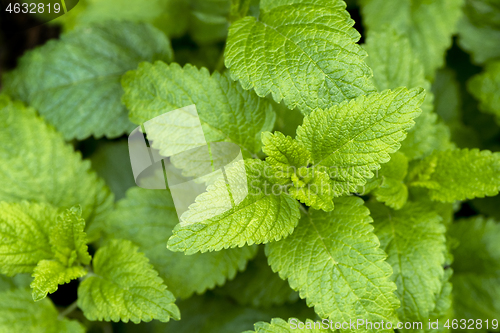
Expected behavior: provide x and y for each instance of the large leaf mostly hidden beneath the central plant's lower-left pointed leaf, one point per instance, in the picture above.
(147, 218)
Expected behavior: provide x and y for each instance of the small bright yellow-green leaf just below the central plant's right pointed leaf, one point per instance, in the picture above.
(392, 190)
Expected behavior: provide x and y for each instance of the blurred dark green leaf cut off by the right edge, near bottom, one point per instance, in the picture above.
(476, 281)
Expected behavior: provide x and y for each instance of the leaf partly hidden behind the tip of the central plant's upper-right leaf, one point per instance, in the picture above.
(394, 64)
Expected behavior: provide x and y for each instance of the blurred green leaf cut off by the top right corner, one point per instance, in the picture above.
(479, 30)
